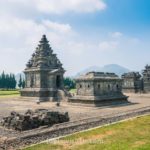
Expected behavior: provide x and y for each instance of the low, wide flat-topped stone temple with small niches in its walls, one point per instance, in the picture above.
(95, 87)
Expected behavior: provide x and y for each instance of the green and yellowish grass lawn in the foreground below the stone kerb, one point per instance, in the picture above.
(129, 135)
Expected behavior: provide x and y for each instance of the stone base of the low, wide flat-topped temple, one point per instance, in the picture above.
(99, 100)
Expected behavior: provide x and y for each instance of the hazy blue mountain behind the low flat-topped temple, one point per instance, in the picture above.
(117, 69)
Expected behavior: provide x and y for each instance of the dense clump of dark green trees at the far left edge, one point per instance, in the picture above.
(7, 81)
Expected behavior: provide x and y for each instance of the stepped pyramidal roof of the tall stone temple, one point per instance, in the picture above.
(43, 57)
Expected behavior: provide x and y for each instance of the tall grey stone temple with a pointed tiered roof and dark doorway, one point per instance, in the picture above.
(43, 73)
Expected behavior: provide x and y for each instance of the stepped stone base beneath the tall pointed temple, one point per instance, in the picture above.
(38, 94)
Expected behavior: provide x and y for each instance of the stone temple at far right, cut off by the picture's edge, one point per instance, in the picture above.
(146, 79)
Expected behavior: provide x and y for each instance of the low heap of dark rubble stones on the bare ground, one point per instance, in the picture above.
(33, 119)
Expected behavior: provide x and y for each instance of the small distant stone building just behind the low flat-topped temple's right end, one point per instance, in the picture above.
(132, 82)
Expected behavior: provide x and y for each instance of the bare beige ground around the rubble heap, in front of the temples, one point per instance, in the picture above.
(76, 112)
